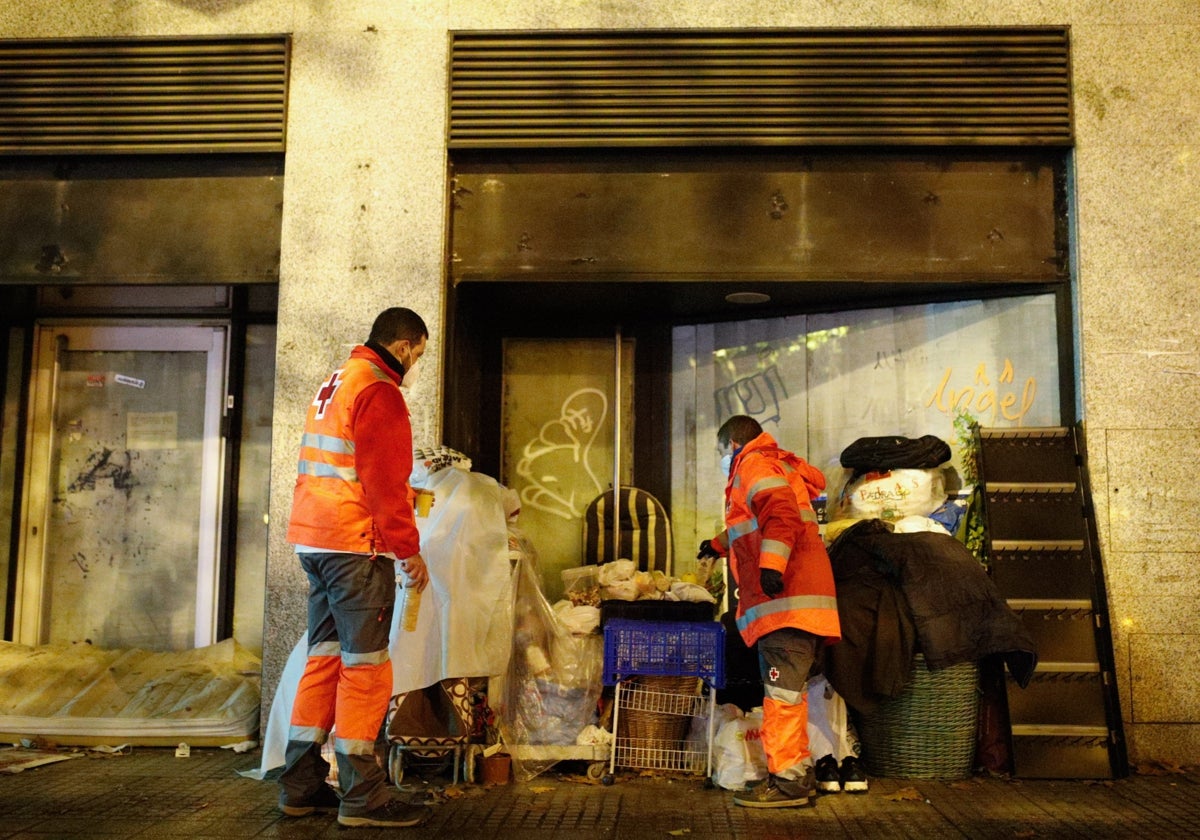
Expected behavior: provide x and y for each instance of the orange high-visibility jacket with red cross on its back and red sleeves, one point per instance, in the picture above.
(352, 491)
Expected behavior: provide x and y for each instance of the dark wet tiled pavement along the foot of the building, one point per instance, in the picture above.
(152, 794)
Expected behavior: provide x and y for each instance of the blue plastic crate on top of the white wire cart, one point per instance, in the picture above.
(664, 649)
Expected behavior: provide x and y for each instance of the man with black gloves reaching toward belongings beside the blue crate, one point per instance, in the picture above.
(787, 599)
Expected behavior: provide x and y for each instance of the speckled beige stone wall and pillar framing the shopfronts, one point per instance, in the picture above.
(364, 230)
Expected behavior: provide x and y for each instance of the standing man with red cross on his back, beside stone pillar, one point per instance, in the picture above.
(352, 524)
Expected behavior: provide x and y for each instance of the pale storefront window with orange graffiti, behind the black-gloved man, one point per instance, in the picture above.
(820, 382)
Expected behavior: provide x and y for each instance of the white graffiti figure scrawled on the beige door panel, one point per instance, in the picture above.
(557, 465)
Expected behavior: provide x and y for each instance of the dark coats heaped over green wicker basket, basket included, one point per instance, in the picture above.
(919, 614)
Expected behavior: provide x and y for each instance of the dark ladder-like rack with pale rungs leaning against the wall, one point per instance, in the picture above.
(1045, 557)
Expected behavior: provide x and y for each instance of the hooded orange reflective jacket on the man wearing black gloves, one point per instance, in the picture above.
(771, 525)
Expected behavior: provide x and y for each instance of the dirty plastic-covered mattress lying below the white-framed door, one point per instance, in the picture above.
(82, 695)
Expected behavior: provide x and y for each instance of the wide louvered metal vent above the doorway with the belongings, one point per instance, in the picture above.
(901, 87)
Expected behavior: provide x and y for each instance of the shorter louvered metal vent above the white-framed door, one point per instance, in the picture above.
(123, 97)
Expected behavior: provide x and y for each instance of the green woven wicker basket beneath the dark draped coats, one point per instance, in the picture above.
(929, 731)
